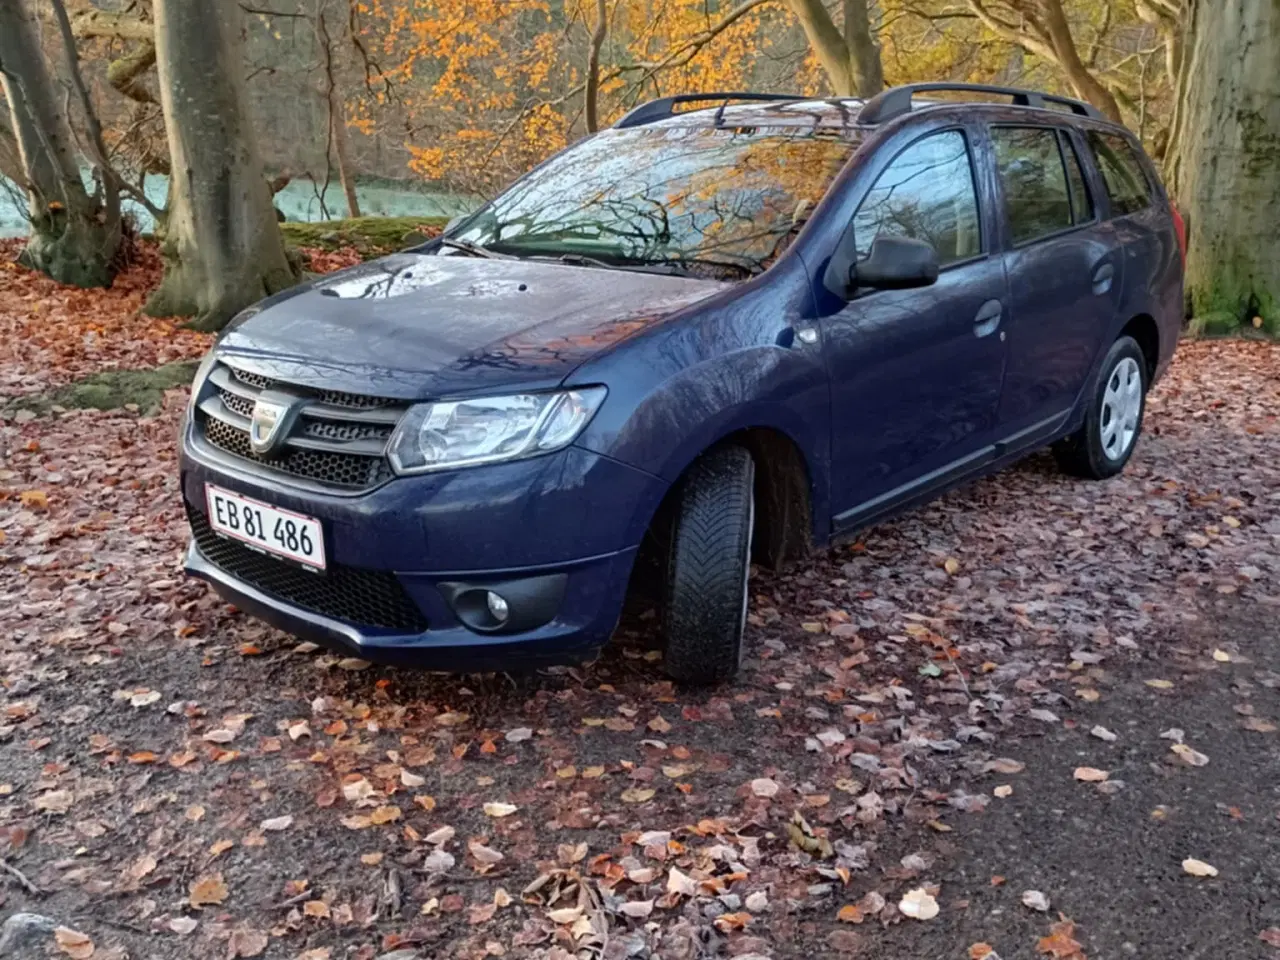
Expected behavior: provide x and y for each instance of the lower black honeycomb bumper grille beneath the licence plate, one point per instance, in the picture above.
(371, 598)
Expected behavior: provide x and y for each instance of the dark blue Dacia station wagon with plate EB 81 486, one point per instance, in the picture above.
(707, 337)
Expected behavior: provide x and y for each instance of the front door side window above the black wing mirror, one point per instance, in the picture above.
(926, 194)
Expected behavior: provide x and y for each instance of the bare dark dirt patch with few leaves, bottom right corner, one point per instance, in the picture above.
(1113, 861)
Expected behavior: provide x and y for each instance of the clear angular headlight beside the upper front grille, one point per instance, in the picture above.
(491, 429)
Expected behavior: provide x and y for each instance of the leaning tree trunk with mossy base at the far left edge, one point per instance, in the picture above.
(75, 239)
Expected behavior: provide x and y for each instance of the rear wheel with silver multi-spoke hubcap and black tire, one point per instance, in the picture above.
(1113, 424)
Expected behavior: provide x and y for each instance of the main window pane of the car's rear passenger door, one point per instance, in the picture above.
(1034, 181)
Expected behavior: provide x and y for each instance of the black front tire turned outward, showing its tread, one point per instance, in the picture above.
(705, 610)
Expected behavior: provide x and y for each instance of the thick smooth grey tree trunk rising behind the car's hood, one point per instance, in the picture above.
(223, 249)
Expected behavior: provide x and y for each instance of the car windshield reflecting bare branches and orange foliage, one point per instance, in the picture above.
(725, 200)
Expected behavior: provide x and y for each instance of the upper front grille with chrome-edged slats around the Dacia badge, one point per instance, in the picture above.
(339, 441)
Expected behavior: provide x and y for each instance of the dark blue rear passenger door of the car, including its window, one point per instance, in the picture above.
(1066, 273)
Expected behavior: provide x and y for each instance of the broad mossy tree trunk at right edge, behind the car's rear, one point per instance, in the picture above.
(1227, 167)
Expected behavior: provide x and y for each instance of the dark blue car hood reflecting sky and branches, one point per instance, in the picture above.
(418, 326)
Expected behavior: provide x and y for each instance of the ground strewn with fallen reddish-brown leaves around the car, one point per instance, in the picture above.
(180, 781)
